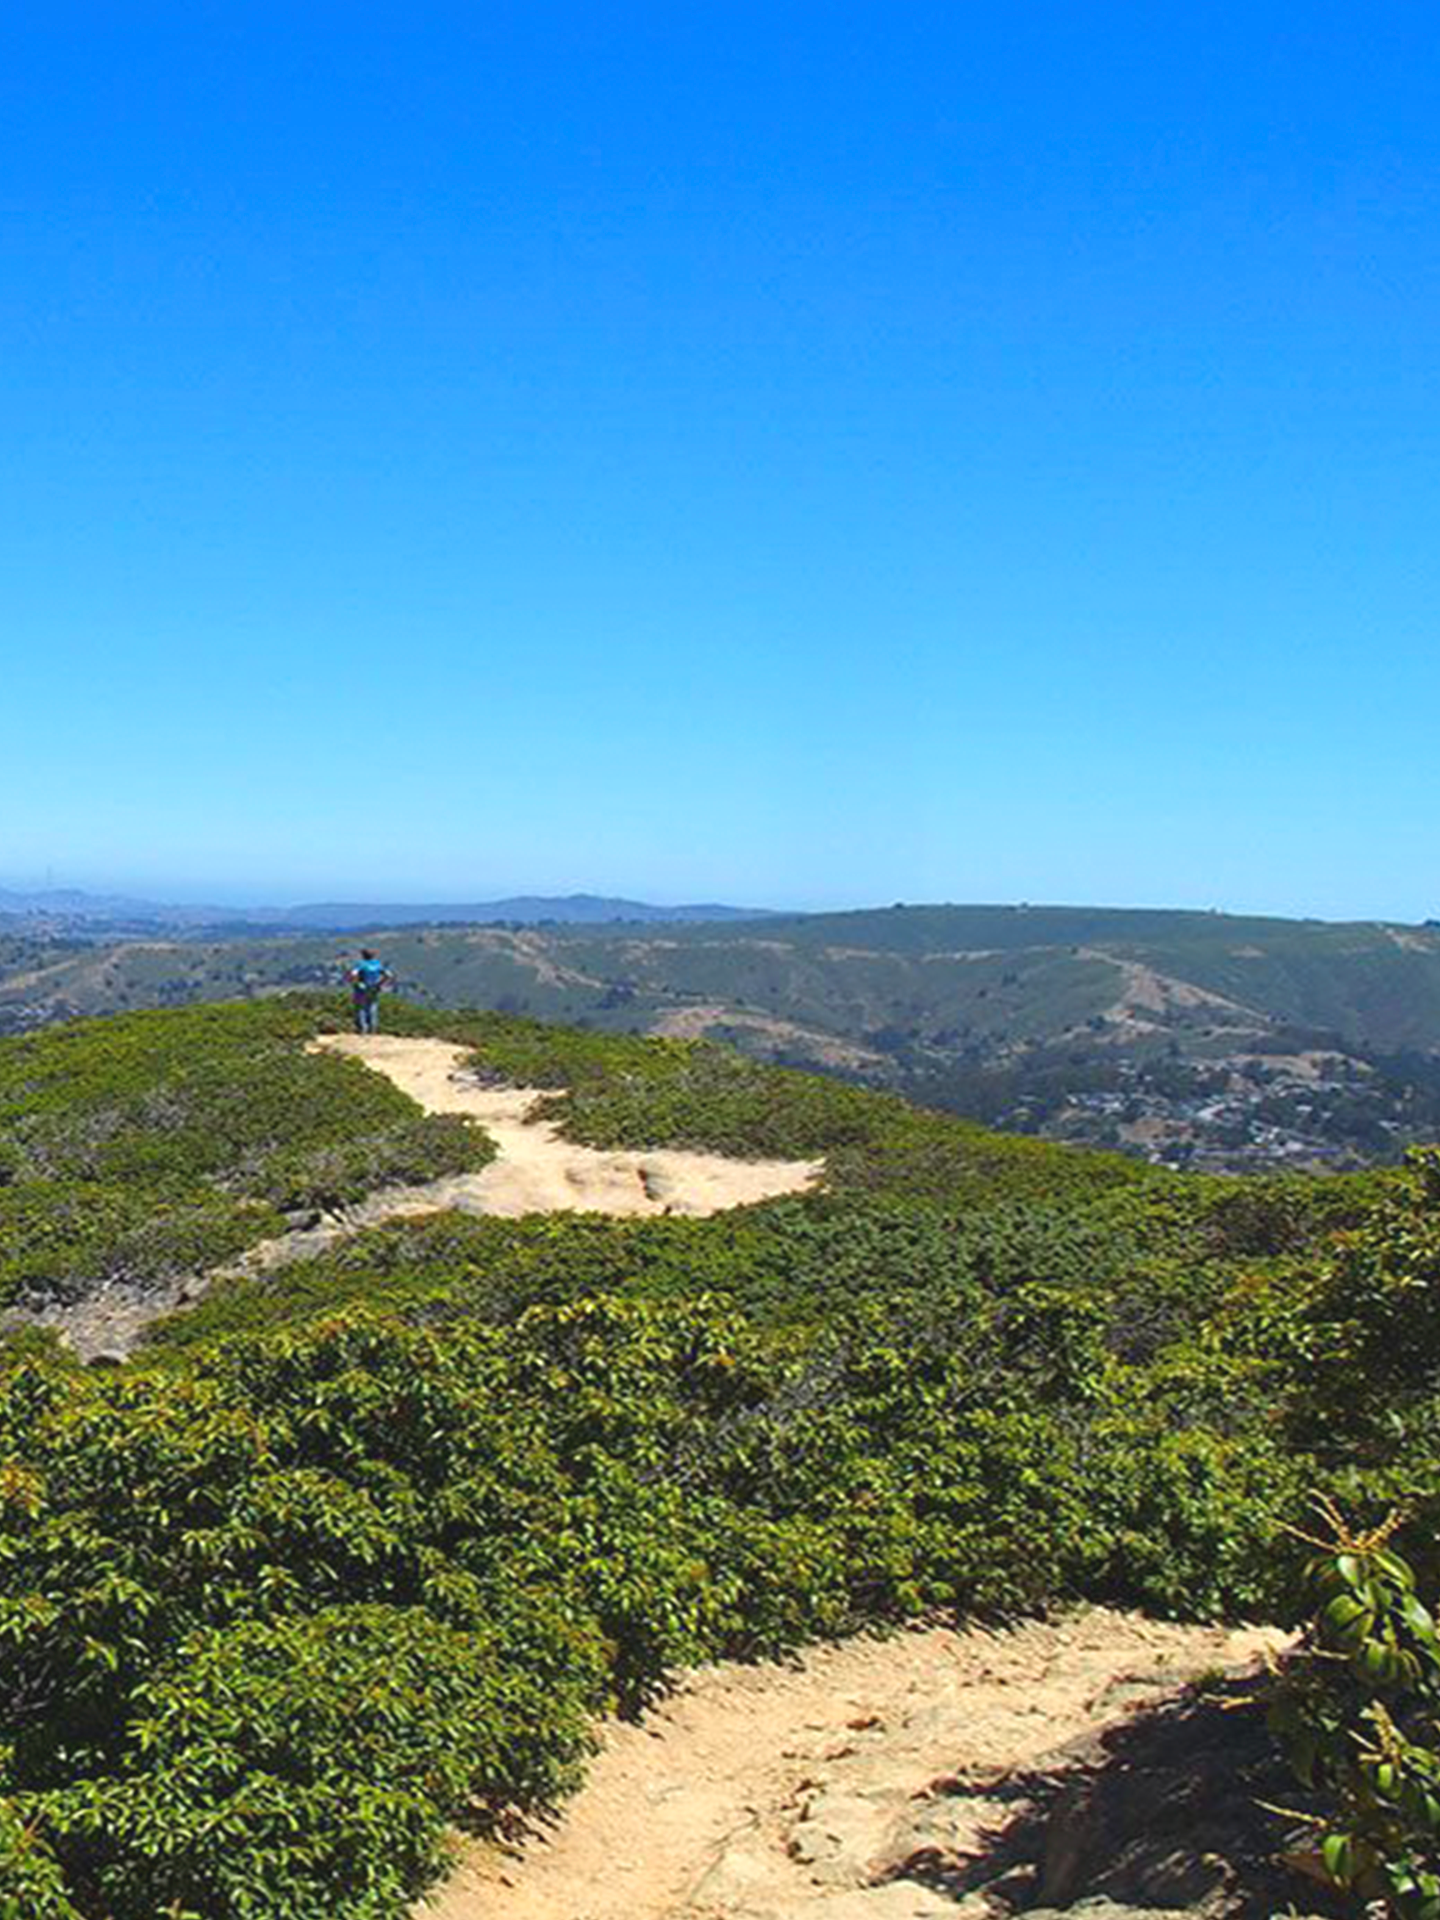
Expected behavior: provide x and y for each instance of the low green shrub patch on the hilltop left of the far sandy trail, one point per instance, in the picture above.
(153, 1143)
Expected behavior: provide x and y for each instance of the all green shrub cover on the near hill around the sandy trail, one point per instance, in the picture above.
(362, 1548)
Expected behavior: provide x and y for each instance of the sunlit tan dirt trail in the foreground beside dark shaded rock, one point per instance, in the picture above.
(863, 1785)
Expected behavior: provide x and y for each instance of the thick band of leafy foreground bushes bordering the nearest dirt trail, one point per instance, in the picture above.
(272, 1620)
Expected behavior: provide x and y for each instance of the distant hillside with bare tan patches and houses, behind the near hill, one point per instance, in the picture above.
(1199, 1040)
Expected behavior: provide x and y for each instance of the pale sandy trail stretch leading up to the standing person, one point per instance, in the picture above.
(539, 1172)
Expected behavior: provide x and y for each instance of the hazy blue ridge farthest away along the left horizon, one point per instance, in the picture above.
(70, 905)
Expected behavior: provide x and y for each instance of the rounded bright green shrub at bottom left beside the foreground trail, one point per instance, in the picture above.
(300, 1767)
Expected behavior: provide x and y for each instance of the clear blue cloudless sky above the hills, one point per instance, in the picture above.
(796, 454)
